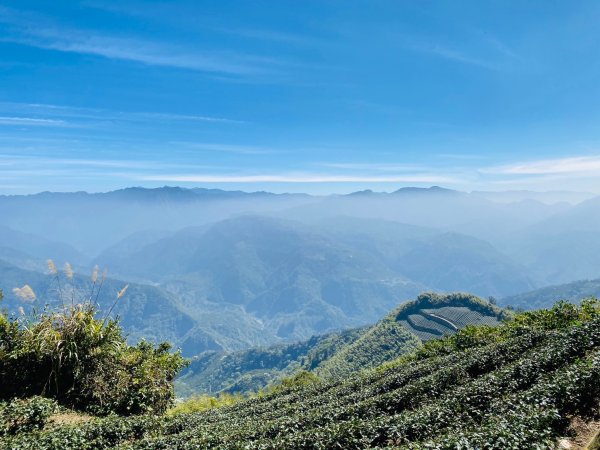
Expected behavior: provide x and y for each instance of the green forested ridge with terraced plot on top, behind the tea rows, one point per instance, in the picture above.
(337, 355)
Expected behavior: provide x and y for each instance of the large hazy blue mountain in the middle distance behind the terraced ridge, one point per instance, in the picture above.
(301, 280)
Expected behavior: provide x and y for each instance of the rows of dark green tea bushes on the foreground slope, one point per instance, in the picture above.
(507, 387)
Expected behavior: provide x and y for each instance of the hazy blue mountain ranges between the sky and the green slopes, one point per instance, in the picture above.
(219, 270)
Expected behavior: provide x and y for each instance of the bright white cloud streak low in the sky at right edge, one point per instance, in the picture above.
(567, 166)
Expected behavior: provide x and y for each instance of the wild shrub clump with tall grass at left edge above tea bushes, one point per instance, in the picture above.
(84, 362)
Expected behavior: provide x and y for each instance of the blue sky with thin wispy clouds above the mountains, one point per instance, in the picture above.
(303, 96)
